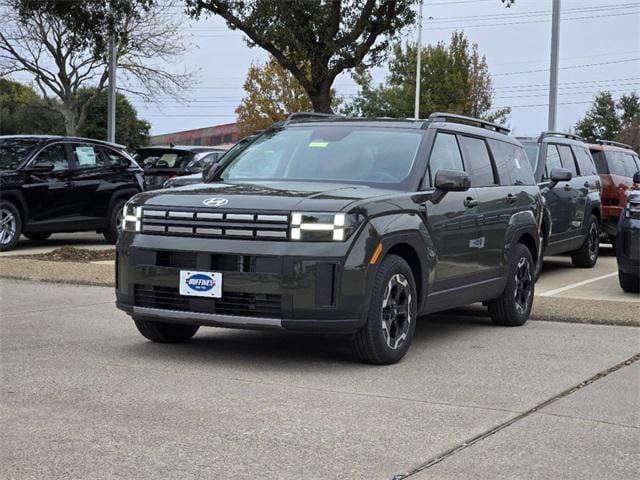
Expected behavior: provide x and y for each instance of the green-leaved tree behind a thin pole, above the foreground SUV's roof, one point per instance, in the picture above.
(454, 78)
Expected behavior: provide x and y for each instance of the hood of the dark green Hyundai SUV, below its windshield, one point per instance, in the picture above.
(274, 196)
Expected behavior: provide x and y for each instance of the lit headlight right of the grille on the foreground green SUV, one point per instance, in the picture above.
(323, 227)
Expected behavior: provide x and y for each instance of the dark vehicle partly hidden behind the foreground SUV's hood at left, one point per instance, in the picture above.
(163, 163)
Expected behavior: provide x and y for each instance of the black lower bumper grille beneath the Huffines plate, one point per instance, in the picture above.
(244, 304)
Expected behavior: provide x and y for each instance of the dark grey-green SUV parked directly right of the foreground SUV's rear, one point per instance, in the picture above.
(567, 176)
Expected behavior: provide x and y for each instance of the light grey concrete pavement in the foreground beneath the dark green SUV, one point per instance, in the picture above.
(85, 396)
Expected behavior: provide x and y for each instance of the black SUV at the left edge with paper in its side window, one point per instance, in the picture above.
(63, 184)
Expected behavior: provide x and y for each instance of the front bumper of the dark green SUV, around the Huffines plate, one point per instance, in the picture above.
(300, 286)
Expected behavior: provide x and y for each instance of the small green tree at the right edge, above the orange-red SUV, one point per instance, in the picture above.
(611, 120)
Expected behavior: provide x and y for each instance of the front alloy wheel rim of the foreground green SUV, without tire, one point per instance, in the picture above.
(396, 311)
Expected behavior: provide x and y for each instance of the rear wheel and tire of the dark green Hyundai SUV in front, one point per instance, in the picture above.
(513, 307)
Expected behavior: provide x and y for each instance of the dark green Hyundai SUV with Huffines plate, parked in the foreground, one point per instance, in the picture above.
(338, 224)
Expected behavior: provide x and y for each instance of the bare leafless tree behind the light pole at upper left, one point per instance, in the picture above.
(53, 56)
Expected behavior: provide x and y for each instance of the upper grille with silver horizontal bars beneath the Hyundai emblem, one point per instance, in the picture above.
(210, 223)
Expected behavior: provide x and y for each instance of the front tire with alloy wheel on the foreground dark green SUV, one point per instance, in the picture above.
(394, 280)
